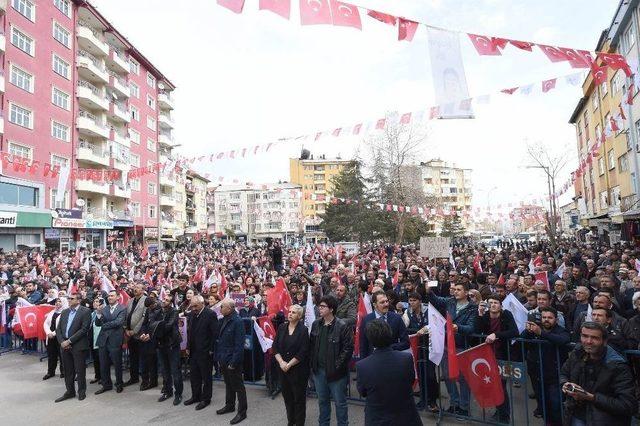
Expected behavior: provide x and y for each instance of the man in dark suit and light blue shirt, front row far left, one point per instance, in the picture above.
(72, 334)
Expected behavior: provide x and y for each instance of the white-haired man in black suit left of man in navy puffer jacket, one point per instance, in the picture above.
(202, 332)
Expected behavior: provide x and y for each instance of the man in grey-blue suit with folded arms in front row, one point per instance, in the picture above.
(111, 320)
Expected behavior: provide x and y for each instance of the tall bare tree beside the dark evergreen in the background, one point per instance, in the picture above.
(393, 175)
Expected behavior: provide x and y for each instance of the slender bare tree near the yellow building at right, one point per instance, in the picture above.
(552, 164)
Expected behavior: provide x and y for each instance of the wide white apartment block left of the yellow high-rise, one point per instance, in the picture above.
(256, 212)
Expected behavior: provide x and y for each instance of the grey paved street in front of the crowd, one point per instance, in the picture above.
(26, 399)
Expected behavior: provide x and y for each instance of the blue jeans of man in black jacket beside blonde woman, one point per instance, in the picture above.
(336, 390)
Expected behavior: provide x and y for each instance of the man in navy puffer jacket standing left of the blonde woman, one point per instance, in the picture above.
(229, 354)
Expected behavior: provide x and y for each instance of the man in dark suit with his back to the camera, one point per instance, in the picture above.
(385, 379)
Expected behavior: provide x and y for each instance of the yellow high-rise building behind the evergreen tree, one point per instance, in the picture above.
(315, 176)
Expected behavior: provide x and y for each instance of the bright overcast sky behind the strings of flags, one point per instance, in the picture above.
(251, 78)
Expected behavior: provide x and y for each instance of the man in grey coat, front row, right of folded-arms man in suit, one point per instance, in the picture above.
(132, 327)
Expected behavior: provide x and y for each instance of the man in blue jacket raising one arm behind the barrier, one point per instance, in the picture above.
(462, 313)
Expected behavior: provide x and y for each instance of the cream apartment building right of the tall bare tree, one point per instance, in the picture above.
(449, 187)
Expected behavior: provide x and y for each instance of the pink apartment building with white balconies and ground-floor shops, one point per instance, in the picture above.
(76, 92)
